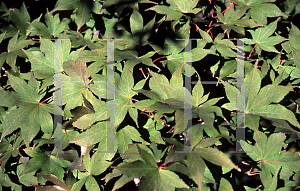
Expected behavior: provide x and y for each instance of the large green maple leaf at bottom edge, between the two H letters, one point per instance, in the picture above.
(155, 178)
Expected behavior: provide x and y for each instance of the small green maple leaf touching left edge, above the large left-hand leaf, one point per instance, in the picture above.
(14, 50)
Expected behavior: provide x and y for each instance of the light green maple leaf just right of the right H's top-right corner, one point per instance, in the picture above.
(263, 39)
